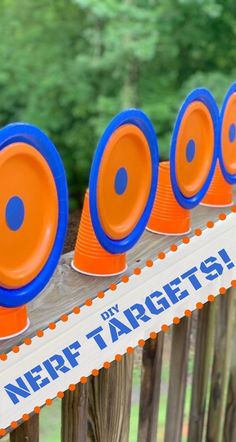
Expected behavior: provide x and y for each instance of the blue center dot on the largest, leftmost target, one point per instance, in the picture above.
(15, 213)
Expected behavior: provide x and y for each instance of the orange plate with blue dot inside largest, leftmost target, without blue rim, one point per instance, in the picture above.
(28, 214)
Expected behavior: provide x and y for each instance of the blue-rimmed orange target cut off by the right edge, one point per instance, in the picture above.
(227, 154)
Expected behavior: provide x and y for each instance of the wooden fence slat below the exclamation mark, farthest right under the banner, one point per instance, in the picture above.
(221, 364)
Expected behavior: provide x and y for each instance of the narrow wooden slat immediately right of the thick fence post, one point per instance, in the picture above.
(150, 389)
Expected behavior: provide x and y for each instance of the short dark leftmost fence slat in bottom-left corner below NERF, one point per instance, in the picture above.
(27, 432)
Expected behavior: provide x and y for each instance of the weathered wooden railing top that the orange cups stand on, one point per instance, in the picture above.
(68, 288)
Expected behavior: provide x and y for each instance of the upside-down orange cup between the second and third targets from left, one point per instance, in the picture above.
(167, 217)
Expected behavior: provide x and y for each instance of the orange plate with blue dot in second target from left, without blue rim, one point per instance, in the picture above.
(124, 181)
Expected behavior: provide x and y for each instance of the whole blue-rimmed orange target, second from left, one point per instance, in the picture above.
(123, 180)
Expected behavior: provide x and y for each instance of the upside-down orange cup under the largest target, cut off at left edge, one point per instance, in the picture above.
(13, 321)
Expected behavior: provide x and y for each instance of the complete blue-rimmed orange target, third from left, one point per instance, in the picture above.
(194, 148)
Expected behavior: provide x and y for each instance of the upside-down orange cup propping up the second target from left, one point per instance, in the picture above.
(90, 257)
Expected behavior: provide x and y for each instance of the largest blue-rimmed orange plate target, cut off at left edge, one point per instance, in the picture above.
(33, 212)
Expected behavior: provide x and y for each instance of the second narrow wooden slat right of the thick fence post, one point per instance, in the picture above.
(177, 382)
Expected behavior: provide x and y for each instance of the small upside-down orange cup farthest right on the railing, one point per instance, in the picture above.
(220, 193)
